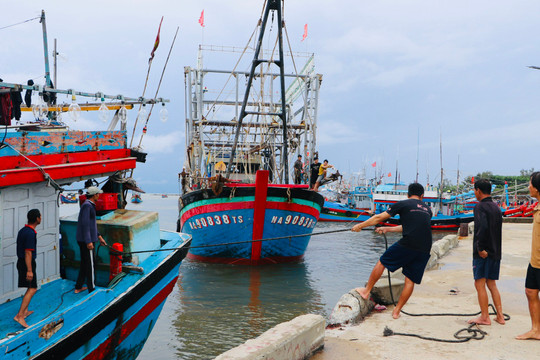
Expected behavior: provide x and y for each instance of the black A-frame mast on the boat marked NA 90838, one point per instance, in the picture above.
(272, 5)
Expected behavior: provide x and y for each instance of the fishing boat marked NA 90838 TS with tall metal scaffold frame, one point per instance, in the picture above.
(238, 151)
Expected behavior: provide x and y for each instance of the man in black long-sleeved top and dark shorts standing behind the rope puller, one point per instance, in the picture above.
(487, 244)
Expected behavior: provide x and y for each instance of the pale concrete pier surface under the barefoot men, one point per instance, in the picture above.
(448, 288)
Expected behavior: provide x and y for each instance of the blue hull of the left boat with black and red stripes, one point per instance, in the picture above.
(113, 322)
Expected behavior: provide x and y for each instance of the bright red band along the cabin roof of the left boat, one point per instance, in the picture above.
(64, 171)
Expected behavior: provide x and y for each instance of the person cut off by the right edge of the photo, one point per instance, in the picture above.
(532, 282)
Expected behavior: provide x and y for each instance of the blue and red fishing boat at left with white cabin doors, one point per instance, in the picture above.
(113, 321)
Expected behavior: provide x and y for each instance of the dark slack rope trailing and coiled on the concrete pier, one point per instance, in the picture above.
(476, 334)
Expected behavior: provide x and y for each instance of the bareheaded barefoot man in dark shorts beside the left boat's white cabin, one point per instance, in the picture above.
(26, 263)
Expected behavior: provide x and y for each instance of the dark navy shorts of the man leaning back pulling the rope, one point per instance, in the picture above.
(413, 262)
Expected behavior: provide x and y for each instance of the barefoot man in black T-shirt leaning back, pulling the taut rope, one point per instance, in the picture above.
(411, 252)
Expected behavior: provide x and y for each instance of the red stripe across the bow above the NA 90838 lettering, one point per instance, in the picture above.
(205, 209)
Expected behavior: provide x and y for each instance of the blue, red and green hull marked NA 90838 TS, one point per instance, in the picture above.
(229, 218)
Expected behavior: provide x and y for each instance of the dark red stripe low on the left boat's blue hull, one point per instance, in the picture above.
(108, 346)
